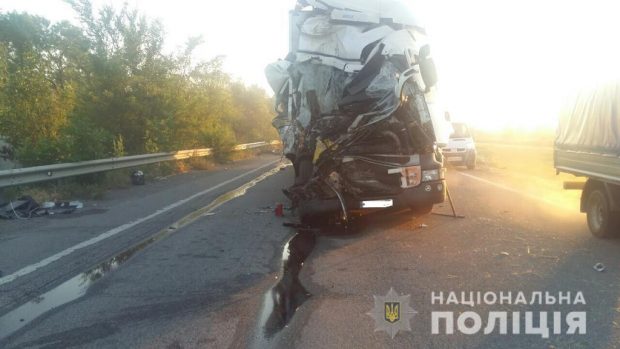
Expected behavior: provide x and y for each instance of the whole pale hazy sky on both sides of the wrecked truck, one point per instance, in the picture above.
(501, 62)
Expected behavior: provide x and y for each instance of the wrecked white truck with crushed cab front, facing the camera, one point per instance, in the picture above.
(357, 109)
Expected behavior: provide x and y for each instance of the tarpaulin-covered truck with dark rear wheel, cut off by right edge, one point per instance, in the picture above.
(588, 145)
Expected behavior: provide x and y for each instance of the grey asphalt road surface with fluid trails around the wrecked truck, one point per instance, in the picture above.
(199, 273)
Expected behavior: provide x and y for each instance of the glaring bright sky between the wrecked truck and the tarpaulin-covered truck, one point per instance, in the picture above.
(511, 64)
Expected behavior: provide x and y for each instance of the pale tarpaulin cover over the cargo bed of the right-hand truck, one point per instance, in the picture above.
(590, 122)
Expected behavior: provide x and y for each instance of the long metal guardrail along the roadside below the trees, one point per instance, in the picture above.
(36, 174)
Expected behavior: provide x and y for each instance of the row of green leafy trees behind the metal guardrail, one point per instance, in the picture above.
(105, 87)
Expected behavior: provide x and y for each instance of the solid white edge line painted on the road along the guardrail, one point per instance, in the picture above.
(33, 267)
